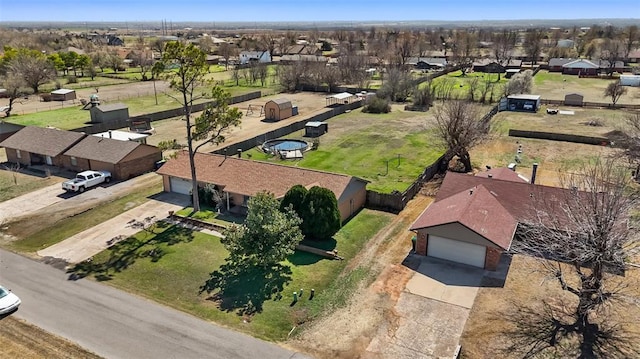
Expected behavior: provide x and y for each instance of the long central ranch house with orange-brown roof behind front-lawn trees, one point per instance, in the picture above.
(239, 179)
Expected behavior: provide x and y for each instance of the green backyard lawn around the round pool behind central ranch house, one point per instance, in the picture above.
(389, 150)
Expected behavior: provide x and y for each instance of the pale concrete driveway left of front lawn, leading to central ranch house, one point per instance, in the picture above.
(94, 240)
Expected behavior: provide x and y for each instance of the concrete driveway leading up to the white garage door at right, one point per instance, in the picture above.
(430, 313)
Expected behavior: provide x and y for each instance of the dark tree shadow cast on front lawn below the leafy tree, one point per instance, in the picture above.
(244, 287)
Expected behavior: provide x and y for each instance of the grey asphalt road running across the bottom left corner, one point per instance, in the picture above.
(115, 324)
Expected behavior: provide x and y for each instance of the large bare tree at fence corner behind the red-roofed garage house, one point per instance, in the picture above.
(459, 128)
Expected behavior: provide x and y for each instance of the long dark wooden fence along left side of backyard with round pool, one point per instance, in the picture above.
(283, 131)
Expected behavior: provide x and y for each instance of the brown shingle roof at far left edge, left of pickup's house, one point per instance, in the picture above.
(43, 141)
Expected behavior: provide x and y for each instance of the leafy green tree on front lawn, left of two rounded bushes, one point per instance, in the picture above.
(267, 236)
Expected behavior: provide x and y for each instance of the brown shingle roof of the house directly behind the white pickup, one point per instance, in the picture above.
(102, 149)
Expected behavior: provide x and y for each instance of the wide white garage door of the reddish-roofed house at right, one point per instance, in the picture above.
(456, 251)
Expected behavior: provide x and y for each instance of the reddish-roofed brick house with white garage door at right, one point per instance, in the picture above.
(474, 219)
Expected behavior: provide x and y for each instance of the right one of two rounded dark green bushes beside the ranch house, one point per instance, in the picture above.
(321, 216)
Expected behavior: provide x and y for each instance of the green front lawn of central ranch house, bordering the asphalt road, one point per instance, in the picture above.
(173, 264)
